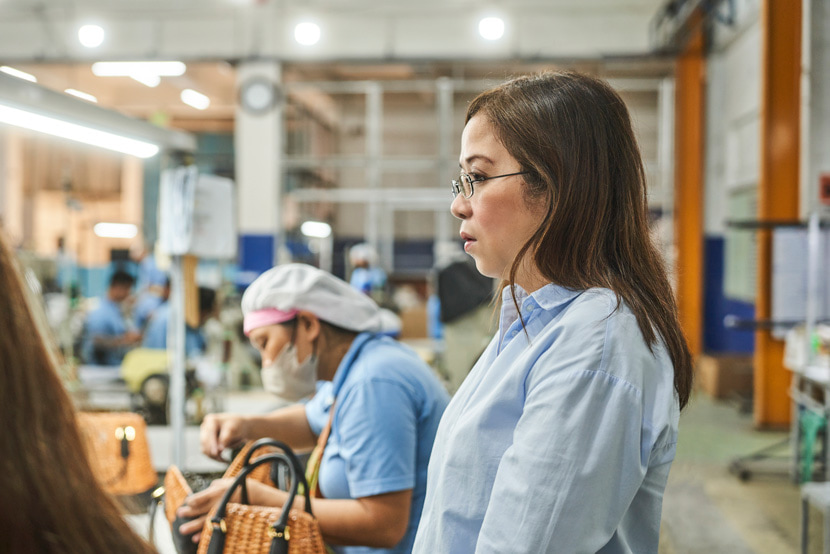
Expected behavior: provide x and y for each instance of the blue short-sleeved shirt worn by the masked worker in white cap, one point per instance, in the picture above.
(388, 407)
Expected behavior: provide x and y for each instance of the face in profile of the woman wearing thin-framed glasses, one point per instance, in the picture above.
(496, 220)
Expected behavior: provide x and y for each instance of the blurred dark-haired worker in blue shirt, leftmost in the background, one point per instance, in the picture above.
(108, 334)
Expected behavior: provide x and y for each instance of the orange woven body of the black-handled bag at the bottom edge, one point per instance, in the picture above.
(248, 531)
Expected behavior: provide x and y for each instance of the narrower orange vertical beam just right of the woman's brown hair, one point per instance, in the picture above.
(688, 187)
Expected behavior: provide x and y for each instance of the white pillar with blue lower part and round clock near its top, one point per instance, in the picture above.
(259, 155)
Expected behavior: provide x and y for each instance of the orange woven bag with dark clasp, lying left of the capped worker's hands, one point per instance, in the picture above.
(118, 476)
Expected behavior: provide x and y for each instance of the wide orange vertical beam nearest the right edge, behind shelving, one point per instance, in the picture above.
(778, 192)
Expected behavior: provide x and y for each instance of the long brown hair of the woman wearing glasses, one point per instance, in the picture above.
(573, 134)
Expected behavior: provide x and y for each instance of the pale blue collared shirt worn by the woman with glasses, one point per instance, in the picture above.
(559, 440)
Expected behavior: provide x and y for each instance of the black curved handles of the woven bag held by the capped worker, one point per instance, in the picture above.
(279, 542)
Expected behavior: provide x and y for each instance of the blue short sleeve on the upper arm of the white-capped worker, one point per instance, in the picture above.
(377, 428)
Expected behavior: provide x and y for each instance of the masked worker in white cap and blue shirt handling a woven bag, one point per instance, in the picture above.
(380, 401)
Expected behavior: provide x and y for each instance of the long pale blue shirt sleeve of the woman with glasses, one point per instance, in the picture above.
(575, 464)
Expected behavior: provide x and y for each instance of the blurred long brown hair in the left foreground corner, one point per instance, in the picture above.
(50, 500)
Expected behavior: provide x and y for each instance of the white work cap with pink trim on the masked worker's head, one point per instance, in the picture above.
(279, 293)
